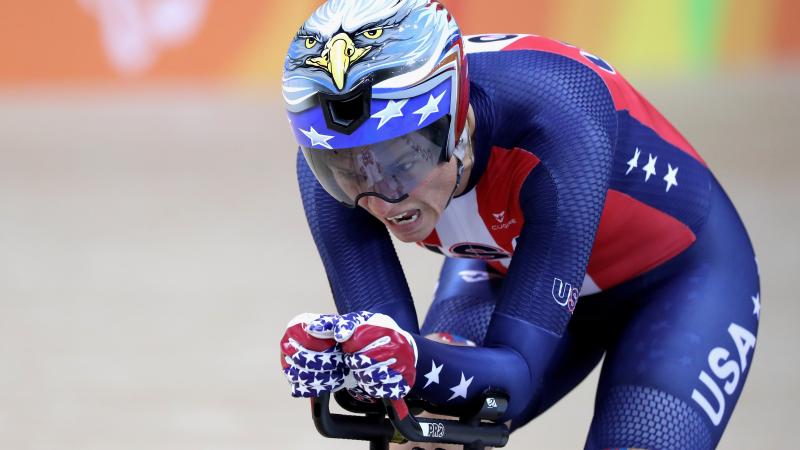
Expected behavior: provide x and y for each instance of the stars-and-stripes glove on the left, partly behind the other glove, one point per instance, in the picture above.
(311, 359)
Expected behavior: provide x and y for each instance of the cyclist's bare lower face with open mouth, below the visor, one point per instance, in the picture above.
(414, 218)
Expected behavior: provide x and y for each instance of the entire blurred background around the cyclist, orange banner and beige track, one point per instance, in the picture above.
(153, 246)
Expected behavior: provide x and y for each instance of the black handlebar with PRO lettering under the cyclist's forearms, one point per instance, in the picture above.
(474, 431)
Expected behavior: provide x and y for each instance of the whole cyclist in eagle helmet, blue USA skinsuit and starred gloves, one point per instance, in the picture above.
(542, 176)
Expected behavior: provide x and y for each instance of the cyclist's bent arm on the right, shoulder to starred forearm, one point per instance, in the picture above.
(574, 135)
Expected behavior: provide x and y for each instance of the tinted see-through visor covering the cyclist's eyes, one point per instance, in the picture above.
(389, 170)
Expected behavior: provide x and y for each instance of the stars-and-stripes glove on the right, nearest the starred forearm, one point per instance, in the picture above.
(380, 356)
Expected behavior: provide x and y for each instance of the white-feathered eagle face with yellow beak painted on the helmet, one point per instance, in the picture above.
(346, 40)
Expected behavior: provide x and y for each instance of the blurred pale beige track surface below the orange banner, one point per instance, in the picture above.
(152, 247)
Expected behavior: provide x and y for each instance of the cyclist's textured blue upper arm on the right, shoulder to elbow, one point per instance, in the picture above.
(562, 200)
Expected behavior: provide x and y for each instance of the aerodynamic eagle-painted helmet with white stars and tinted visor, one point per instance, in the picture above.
(377, 94)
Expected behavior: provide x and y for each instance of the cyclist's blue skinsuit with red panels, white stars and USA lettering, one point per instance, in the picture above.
(677, 326)
